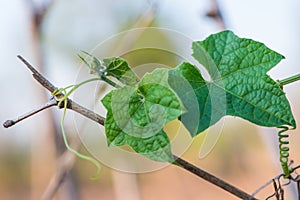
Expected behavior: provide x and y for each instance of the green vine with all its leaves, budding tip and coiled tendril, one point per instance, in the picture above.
(138, 109)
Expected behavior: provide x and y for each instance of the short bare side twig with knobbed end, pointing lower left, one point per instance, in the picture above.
(12, 122)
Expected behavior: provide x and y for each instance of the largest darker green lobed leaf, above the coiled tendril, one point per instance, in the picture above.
(239, 87)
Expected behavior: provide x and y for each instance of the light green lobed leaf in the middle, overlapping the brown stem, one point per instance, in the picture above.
(136, 115)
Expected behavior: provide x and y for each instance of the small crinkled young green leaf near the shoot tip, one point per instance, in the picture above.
(119, 68)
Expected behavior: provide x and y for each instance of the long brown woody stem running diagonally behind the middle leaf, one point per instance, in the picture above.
(100, 120)
